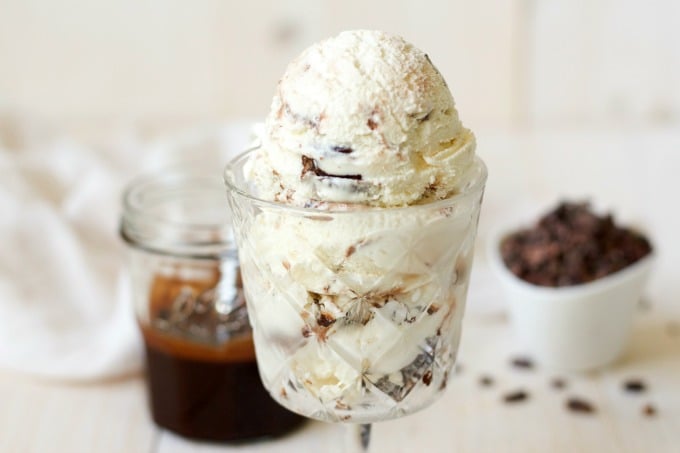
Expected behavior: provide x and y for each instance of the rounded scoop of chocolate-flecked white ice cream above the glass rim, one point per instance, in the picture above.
(363, 117)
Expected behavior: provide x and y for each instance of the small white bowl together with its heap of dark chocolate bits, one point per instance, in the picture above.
(572, 280)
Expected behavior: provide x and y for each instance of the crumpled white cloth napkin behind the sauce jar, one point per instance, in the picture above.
(65, 306)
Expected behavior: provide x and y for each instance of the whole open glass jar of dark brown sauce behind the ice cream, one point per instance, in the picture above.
(202, 377)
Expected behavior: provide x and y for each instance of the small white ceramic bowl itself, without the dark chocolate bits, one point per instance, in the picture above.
(575, 327)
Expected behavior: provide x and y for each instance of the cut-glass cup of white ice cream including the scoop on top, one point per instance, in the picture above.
(356, 221)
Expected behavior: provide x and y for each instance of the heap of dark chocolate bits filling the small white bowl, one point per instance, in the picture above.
(572, 245)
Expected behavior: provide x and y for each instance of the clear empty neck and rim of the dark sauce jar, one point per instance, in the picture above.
(144, 225)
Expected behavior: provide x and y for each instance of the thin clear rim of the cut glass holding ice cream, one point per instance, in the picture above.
(474, 187)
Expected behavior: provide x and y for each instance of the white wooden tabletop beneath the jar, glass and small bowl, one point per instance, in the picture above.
(635, 174)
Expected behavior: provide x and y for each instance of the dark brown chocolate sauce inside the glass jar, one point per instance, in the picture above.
(202, 375)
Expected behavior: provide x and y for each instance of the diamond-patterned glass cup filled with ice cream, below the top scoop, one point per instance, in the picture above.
(356, 314)
